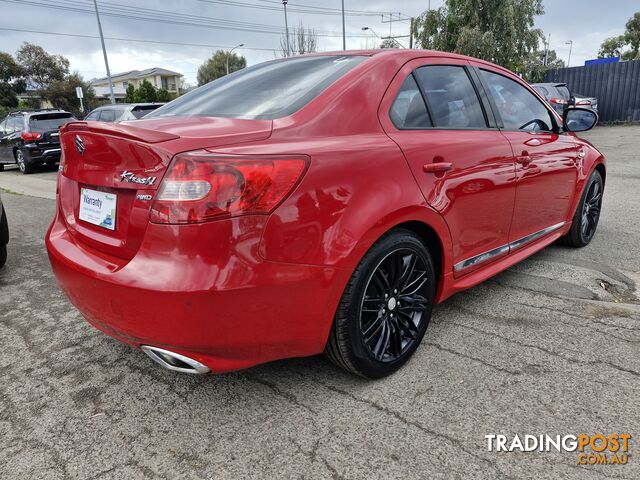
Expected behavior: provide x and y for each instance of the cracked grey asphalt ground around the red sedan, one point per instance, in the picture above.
(551, 346)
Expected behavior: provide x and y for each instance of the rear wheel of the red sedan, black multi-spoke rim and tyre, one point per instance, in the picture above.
(373, 333)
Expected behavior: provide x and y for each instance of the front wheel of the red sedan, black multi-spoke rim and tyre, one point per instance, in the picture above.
(585, 219)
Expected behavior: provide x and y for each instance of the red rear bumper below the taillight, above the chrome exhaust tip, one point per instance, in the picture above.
(216, 302)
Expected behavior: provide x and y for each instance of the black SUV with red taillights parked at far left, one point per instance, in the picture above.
(30, 138)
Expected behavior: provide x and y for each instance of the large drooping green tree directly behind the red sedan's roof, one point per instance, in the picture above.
(497, 30)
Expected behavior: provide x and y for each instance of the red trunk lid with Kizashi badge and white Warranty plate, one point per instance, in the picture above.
(128, 160)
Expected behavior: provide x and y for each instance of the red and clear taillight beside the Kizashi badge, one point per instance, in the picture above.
(201, 186)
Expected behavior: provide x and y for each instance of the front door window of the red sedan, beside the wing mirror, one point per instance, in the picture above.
(518, 107)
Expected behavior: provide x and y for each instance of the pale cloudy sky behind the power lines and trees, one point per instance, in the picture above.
(182, 46)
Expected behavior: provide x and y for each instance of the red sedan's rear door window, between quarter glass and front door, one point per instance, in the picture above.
(451, 97)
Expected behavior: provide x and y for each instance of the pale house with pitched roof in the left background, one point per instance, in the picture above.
(158, 77)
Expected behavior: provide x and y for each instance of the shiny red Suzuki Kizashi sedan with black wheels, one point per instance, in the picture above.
(247, 221)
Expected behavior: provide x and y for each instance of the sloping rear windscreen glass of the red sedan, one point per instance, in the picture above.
(264, 92)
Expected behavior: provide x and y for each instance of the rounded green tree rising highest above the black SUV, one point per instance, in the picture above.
(40, 67)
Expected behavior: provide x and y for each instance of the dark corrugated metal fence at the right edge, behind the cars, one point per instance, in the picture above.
(615, 85)
